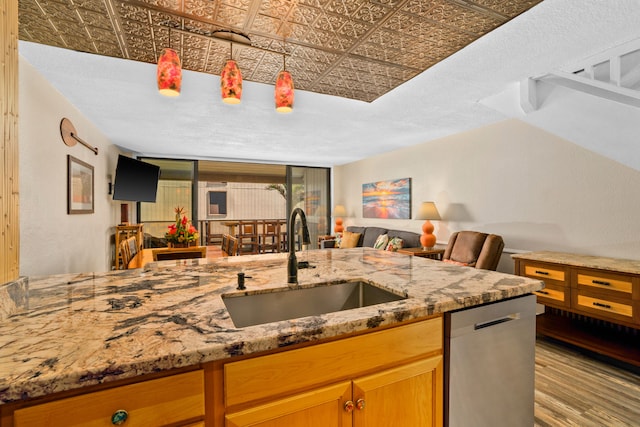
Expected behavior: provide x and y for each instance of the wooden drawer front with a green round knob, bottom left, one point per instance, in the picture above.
(154, 402)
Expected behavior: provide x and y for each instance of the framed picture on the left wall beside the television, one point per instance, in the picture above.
(80, 187)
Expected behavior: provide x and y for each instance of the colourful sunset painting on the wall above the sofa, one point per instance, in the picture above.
(387, 199)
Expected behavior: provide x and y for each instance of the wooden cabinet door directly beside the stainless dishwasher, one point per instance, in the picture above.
(410, 395)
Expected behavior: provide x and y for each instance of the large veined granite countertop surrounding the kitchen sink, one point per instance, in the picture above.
(85, 329)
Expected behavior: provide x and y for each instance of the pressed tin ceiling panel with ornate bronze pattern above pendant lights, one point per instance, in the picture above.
(358, 49)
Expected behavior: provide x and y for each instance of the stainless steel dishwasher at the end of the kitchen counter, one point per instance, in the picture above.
(490, 364)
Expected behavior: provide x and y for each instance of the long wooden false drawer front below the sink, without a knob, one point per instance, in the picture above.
(294, 370)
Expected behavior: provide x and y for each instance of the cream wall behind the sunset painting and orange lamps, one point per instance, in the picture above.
(539, 191)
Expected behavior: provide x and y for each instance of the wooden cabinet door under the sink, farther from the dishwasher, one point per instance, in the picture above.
(323, 407)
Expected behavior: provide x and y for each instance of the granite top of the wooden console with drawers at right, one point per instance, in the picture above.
(630, 266)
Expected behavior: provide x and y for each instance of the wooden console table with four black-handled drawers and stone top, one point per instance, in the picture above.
(592, 302)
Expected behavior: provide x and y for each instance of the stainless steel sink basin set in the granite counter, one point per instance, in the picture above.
(286, 304)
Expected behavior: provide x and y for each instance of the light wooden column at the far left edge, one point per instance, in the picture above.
(9, 186)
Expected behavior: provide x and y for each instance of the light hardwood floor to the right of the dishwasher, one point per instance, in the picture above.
(574, 389)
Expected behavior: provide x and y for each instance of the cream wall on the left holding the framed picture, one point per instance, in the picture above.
(51, 241)
